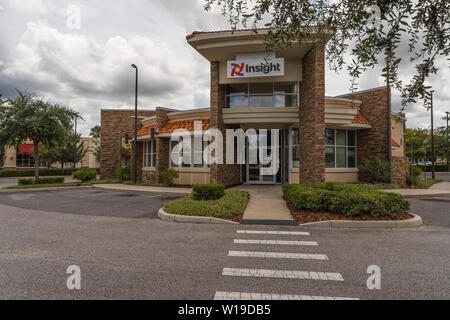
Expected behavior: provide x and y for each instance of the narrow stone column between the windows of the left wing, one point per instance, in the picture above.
(162, 144)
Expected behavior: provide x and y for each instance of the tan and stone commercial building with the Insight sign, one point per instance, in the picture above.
(320, 138)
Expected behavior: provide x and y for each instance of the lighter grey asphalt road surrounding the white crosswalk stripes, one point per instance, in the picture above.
(128, 258)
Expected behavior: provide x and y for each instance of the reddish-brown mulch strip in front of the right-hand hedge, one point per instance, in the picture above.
(306, 216)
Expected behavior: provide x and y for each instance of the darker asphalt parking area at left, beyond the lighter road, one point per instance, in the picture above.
(89, 202)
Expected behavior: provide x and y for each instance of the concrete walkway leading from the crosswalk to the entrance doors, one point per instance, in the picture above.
(266, 205)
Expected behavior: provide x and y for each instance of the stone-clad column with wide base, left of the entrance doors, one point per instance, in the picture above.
(220, 173)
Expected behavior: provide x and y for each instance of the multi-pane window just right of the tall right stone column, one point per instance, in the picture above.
(340, 148)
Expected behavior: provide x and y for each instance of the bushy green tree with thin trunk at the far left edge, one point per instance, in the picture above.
(28, 117)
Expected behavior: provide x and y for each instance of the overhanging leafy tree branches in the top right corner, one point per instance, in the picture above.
(370, 29)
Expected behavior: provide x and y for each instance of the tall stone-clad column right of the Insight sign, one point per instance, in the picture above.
(312, 117)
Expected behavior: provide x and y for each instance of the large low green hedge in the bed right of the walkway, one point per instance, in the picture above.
(349, 200)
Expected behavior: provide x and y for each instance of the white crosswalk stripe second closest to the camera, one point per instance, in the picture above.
(285, 274)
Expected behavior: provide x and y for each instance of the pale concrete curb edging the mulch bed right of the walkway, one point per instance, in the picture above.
(410, 223)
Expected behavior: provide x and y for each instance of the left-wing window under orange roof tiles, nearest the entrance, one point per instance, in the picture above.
(193, 157)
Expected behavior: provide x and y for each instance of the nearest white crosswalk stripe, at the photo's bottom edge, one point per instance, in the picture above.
(221, 295)
